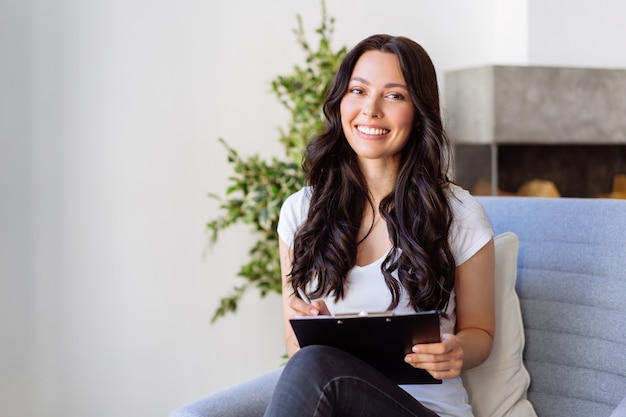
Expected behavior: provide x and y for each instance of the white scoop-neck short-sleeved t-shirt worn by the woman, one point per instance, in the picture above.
(366, 289)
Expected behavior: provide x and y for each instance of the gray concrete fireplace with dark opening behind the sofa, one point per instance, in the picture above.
(512, 124)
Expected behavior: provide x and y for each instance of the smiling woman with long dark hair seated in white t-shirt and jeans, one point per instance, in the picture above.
(380, 227)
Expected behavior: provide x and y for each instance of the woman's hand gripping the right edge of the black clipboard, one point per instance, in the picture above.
(442, 360)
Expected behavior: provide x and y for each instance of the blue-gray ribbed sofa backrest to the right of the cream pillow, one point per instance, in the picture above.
(571, 285)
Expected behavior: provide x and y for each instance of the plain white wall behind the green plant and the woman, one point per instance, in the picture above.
(109, 117)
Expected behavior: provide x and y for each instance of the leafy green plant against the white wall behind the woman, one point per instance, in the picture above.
(258, 187)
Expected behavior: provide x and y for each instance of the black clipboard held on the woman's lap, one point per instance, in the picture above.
(380, 340)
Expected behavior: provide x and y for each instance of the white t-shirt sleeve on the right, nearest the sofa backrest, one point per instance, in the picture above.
(470, 229)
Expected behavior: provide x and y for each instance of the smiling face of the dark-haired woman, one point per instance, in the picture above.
(376, 111)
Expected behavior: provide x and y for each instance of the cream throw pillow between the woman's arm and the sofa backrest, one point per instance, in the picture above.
(497, 388)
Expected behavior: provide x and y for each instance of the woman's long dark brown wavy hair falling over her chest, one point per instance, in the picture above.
(417, 211)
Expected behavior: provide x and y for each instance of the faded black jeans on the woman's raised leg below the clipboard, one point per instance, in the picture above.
(320, 381)
